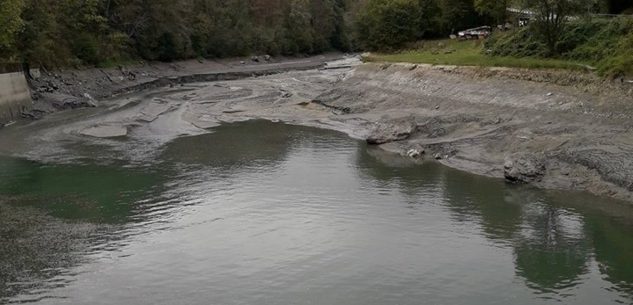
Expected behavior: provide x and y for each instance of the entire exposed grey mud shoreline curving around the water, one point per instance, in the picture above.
(576, 136)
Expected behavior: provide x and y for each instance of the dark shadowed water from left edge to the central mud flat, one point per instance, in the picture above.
(53, 216)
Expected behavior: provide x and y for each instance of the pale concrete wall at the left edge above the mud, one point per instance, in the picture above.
(15, 97)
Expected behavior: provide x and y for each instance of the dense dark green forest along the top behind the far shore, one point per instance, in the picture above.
(98, 32)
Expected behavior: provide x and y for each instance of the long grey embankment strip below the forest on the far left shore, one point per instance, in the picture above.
(78, 88)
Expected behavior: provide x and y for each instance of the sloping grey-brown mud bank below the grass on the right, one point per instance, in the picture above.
(551, 129)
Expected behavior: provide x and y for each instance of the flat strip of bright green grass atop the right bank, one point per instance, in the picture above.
(467, 53)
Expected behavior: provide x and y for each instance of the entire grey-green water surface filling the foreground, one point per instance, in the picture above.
(263, 213)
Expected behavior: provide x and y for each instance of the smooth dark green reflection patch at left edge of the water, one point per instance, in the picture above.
(85, 192)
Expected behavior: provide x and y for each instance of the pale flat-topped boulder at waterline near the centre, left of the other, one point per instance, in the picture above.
(390, 130)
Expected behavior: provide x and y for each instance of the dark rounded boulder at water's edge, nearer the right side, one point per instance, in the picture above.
(524, 167)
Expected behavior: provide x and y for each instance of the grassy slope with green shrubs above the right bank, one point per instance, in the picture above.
(603, 45)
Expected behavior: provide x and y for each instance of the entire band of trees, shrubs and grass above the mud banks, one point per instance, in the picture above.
(59, 33)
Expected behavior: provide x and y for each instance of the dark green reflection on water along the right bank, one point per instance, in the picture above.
(554, 235)
